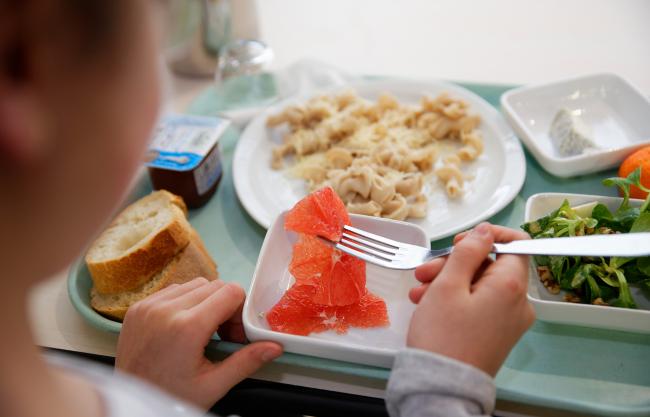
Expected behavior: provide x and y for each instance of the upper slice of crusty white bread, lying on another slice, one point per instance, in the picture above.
(139, 243)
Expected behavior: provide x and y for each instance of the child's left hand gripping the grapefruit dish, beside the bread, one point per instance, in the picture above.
(164, 336)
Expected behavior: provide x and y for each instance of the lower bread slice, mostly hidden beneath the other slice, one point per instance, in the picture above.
(190, 263)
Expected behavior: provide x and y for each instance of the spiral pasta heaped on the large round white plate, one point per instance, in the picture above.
(378, 156)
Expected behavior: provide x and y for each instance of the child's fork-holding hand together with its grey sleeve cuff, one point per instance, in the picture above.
(471, 312)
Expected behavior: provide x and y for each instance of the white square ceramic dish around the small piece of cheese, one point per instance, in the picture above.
(616, 112)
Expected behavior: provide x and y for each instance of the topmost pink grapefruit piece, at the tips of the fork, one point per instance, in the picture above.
(321, 213)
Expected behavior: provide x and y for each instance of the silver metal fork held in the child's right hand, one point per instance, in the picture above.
(389, 253)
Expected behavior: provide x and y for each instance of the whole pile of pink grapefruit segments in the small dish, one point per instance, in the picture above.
(330, 289)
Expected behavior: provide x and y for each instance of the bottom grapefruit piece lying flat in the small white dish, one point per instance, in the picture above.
(296, 313)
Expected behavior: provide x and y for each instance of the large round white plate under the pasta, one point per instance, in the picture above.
(498, 173)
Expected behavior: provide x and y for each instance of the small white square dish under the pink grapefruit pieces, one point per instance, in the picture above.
(366, 346)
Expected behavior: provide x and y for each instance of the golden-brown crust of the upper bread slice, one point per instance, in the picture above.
(138, 266)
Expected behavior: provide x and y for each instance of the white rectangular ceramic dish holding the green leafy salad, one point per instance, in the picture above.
(552, 308)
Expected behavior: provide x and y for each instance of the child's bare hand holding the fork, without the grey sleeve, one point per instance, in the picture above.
(475, 309)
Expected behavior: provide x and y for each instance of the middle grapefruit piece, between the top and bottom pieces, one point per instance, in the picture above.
(340, 279)
